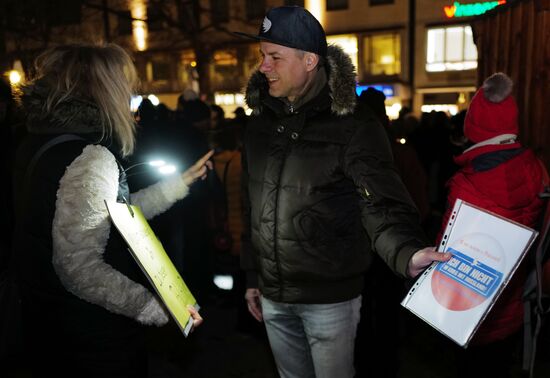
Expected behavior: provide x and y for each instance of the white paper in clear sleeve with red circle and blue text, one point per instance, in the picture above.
(454, 297)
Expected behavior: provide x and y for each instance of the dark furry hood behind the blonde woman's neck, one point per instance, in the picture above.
(72, 115)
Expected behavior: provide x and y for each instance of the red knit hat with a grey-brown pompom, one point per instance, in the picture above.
(493, 111)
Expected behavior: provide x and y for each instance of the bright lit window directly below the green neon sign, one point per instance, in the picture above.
(451, 49)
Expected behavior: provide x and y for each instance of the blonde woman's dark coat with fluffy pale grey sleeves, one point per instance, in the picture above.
(70, 259)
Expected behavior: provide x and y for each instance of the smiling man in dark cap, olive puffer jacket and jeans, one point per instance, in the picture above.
(320, 194)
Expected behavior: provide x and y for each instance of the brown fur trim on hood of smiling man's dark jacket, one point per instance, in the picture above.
(341, 82)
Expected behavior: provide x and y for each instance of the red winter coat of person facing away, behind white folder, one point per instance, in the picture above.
(506, 180)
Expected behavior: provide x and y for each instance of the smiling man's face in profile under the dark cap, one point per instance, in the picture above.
(285, 69)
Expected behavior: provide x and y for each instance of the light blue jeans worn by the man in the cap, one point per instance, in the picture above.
(312, 340)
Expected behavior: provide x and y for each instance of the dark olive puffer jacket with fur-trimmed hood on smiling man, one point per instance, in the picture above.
(320, 193)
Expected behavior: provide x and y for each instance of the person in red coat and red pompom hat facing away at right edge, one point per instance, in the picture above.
(497, 174)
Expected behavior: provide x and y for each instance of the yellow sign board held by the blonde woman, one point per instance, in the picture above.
(153, 260)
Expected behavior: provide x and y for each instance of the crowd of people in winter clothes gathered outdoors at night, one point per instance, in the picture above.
(313, 204)
